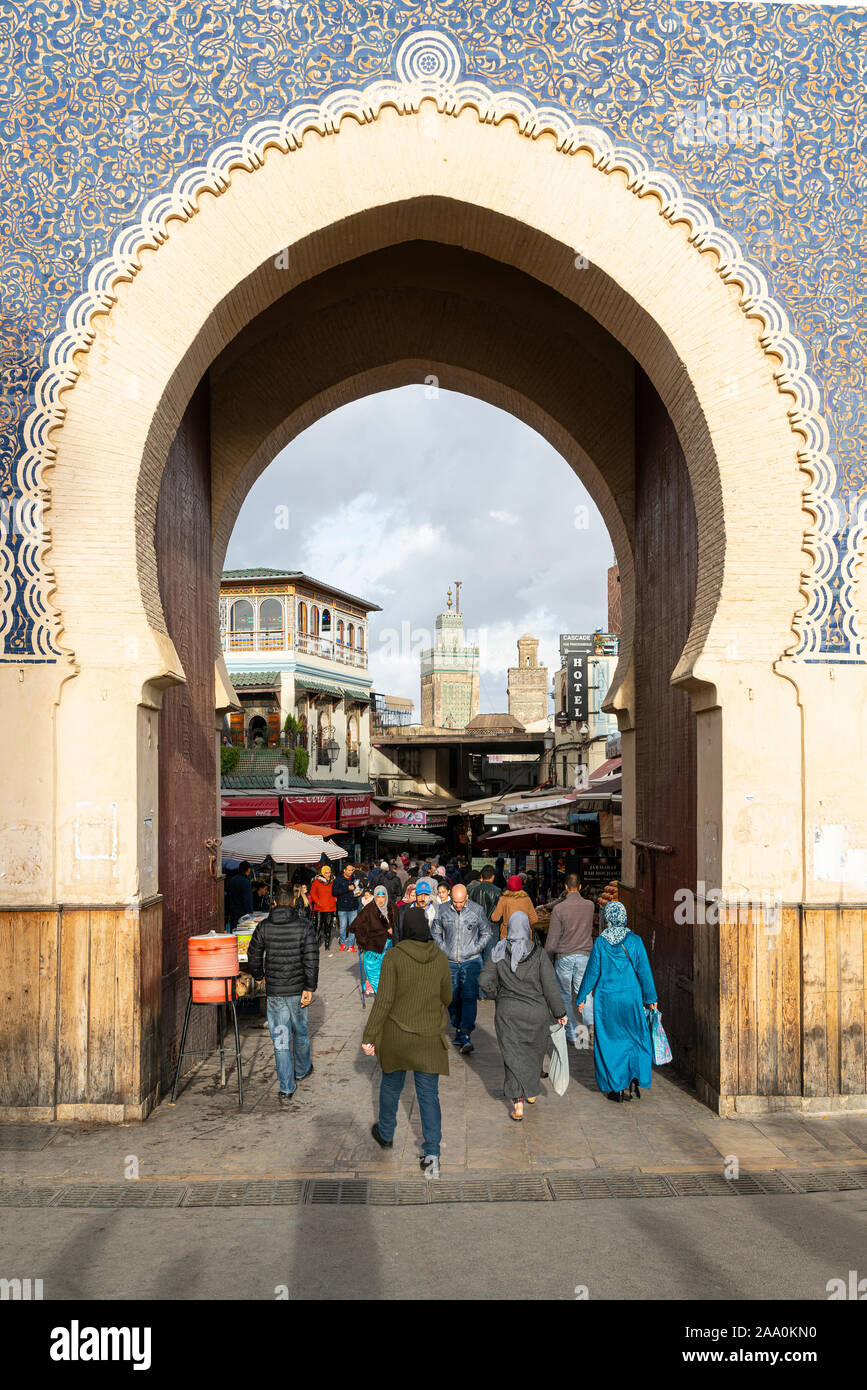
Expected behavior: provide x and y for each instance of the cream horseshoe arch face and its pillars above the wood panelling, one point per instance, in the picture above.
(534, 205)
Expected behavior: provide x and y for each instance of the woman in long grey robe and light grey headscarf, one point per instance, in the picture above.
(522, 981)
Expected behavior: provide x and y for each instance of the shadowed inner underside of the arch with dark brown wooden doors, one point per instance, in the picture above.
(388, 319)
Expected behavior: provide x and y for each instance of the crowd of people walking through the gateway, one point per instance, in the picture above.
(433, 940)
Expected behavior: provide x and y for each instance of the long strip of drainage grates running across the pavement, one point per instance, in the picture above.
(358, 1192)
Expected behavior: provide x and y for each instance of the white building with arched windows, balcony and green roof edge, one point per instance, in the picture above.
(298, 648)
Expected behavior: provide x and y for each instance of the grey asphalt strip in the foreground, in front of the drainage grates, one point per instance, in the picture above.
(758, 1249)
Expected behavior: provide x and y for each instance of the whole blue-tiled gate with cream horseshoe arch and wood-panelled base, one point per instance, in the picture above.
(691, 434)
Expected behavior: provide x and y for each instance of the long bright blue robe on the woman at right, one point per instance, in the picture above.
(622, 1040)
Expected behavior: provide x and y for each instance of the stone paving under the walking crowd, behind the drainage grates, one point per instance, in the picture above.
(327, 1128)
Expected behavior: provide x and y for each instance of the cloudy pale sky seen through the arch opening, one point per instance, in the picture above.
(397, 496)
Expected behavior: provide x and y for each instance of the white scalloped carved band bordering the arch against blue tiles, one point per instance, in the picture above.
(287, 134)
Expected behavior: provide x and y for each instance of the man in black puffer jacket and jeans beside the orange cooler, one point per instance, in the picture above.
(284, 950)
